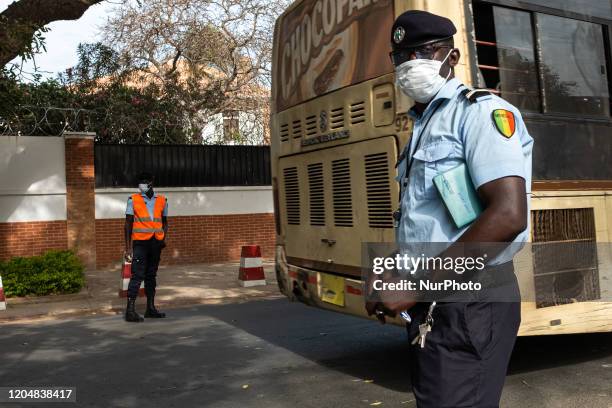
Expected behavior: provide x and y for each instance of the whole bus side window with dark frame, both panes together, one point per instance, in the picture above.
(572, 61)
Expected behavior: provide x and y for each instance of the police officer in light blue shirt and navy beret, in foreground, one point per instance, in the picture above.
(463, 359)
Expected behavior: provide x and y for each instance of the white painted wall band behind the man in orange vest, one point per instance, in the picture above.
(183, 201)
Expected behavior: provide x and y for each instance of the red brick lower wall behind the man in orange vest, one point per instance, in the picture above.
(194, 239)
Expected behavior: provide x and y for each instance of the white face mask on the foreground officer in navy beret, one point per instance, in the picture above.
(420, 78)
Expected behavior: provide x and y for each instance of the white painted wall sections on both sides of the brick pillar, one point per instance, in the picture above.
(33, 188)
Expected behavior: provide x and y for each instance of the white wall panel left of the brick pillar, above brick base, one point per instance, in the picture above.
(32, 179)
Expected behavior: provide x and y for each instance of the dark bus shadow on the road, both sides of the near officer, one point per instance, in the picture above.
(361, 342)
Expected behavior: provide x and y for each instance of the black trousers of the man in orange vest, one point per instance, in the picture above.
(145, 262)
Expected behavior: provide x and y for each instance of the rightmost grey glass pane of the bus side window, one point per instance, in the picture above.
(574, 66)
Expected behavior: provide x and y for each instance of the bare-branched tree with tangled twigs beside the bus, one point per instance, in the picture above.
(210, 56)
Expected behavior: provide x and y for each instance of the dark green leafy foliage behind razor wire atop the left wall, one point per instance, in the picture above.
(95, 95)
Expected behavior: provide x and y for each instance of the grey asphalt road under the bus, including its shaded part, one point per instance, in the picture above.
(272, 353)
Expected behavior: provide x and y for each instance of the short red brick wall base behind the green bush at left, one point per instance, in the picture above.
(31, 238)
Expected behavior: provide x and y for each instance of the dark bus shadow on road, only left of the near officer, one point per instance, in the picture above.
(360, 348)
